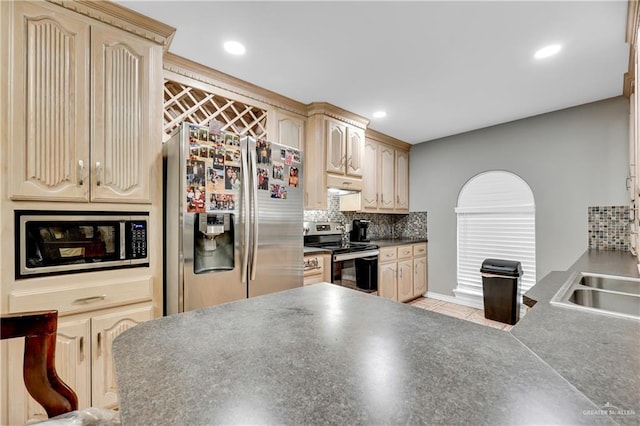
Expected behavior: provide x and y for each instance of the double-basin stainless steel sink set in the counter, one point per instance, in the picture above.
(603, 294)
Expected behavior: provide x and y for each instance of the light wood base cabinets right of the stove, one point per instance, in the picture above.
(402, 272)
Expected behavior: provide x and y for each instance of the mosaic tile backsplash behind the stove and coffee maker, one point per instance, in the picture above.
(382, 226)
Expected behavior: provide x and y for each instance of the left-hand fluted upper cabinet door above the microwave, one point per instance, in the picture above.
(49, 99)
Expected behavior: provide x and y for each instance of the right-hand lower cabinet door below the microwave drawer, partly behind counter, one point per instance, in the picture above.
(104, 330)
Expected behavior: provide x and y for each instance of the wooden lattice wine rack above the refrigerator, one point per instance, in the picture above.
(197, 106)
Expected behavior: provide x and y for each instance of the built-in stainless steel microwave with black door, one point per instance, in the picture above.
(63, 242)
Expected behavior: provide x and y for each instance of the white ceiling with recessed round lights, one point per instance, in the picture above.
(437, 67)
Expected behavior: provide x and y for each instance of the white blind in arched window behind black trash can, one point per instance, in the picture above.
(496, 219)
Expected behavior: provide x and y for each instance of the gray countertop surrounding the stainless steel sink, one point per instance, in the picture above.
(596, 353)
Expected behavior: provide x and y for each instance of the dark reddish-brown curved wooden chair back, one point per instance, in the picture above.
(39, 373)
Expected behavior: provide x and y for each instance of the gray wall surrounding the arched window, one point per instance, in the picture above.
(571, 159)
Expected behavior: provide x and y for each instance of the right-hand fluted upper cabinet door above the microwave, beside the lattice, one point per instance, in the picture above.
(123, 151)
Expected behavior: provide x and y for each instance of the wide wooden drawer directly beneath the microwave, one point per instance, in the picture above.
(80, 299)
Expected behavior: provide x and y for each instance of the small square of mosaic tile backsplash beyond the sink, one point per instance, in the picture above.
(609, 227)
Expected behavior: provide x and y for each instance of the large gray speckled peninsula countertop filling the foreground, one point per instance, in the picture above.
(324, 354)
